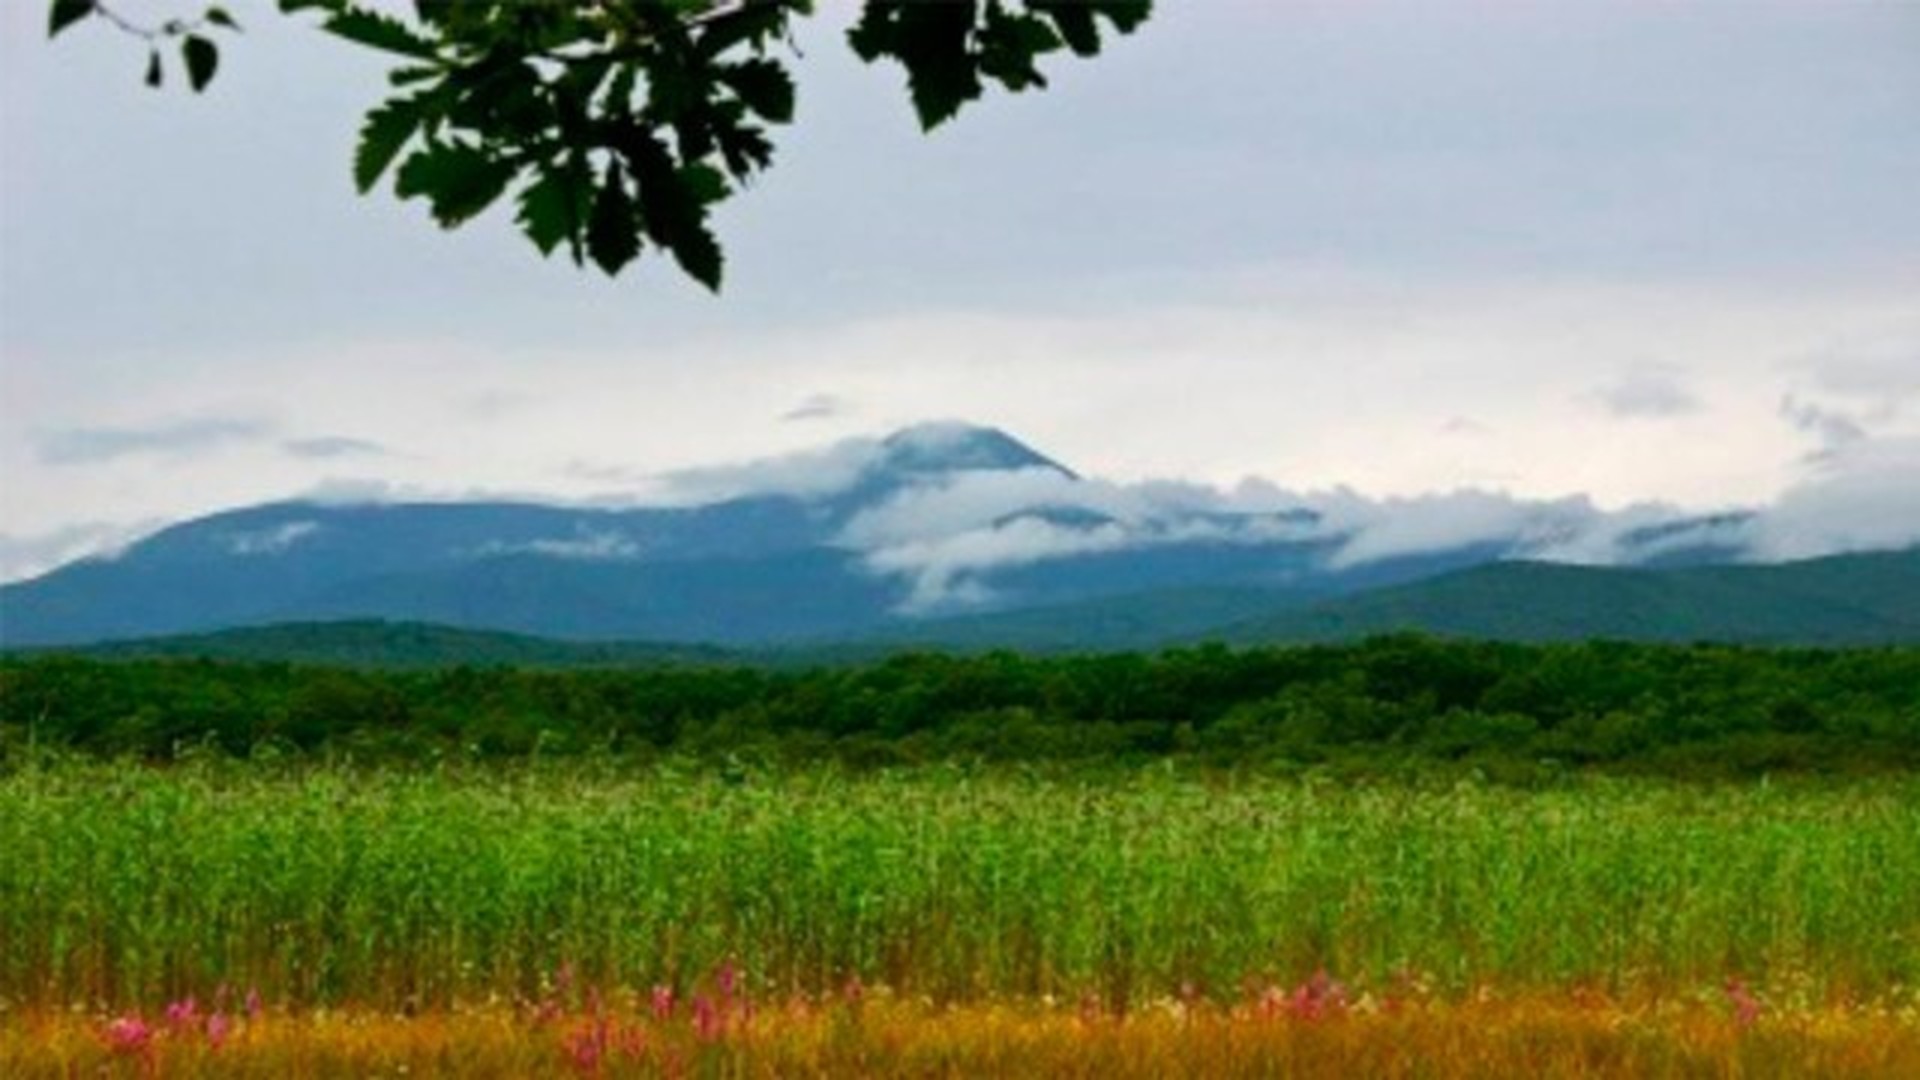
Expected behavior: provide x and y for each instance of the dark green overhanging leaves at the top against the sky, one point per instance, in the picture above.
(619, 124)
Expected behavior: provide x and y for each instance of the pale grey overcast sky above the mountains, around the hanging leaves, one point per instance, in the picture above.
(1393, 253)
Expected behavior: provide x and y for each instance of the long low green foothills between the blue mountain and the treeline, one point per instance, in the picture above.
(1840, 601)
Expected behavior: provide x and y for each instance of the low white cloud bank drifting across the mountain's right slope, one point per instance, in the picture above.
(946, 535)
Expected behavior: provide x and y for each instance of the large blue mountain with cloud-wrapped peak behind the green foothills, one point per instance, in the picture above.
(759, 568)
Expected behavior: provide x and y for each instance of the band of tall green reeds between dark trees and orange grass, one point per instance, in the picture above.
(124, 885)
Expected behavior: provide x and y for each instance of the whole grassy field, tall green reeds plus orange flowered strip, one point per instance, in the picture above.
(1596, 927)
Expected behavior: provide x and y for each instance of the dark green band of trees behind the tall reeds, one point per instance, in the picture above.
(1385, 704)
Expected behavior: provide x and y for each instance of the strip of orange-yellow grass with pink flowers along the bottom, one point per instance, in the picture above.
(1295, 1033)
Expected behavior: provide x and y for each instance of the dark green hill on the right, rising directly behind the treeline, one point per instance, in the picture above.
(1838, 601)
